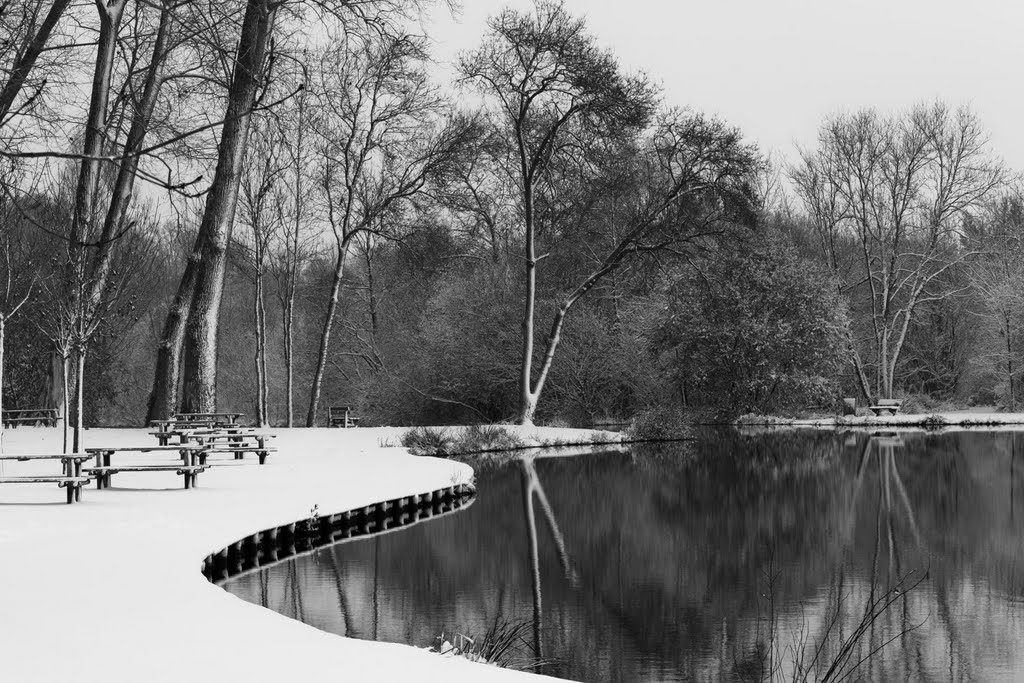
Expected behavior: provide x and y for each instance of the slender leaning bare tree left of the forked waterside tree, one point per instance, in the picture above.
(381, 139)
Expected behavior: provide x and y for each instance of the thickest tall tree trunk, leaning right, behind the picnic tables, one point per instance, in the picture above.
(200, 356)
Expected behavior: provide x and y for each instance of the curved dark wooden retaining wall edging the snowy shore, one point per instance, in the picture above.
(281, 543)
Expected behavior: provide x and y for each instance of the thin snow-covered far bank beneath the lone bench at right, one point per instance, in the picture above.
(955, 420)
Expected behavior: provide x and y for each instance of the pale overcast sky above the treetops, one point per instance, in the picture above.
(776, 68)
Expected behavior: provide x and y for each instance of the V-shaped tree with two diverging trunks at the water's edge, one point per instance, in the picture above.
(569, 117)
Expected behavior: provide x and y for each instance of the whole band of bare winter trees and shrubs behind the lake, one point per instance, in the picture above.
(276, 207)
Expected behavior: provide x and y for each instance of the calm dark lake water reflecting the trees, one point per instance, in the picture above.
(733, 559)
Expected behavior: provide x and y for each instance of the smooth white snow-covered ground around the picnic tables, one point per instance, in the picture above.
(110, 589)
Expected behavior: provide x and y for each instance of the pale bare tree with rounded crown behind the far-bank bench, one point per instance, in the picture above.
(903, 189)
